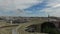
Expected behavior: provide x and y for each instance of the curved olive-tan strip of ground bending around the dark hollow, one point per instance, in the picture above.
(21, 28)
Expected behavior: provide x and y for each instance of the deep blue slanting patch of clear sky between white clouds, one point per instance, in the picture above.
(38, 6)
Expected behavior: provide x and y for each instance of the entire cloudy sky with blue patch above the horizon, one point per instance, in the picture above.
(30, 8)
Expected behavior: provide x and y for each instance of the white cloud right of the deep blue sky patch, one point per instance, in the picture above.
(54, 9)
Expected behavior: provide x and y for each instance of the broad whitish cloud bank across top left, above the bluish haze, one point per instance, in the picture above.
(22, 4)
